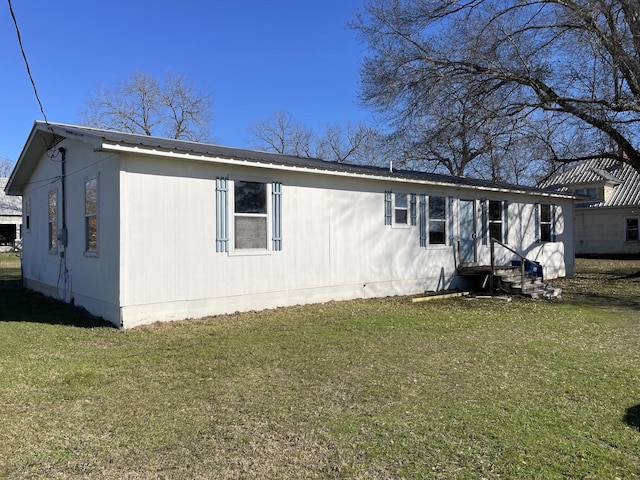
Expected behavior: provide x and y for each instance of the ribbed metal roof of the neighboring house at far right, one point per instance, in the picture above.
(622, 177)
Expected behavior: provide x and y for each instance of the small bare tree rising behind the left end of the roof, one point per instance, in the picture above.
(143, 105)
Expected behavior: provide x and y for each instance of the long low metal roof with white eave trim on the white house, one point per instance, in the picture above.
(112, 140)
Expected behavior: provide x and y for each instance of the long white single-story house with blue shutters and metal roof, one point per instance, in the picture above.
(139, 229)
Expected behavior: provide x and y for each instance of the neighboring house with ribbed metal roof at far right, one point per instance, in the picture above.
(607, 210)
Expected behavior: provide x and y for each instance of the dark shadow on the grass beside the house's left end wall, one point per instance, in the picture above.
(17, 304)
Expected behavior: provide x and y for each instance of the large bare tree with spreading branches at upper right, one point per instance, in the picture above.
(570, 64)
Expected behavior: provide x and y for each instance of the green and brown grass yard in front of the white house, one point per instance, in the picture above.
(377, 389)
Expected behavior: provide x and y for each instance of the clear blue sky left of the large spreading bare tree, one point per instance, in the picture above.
(253, 57)
